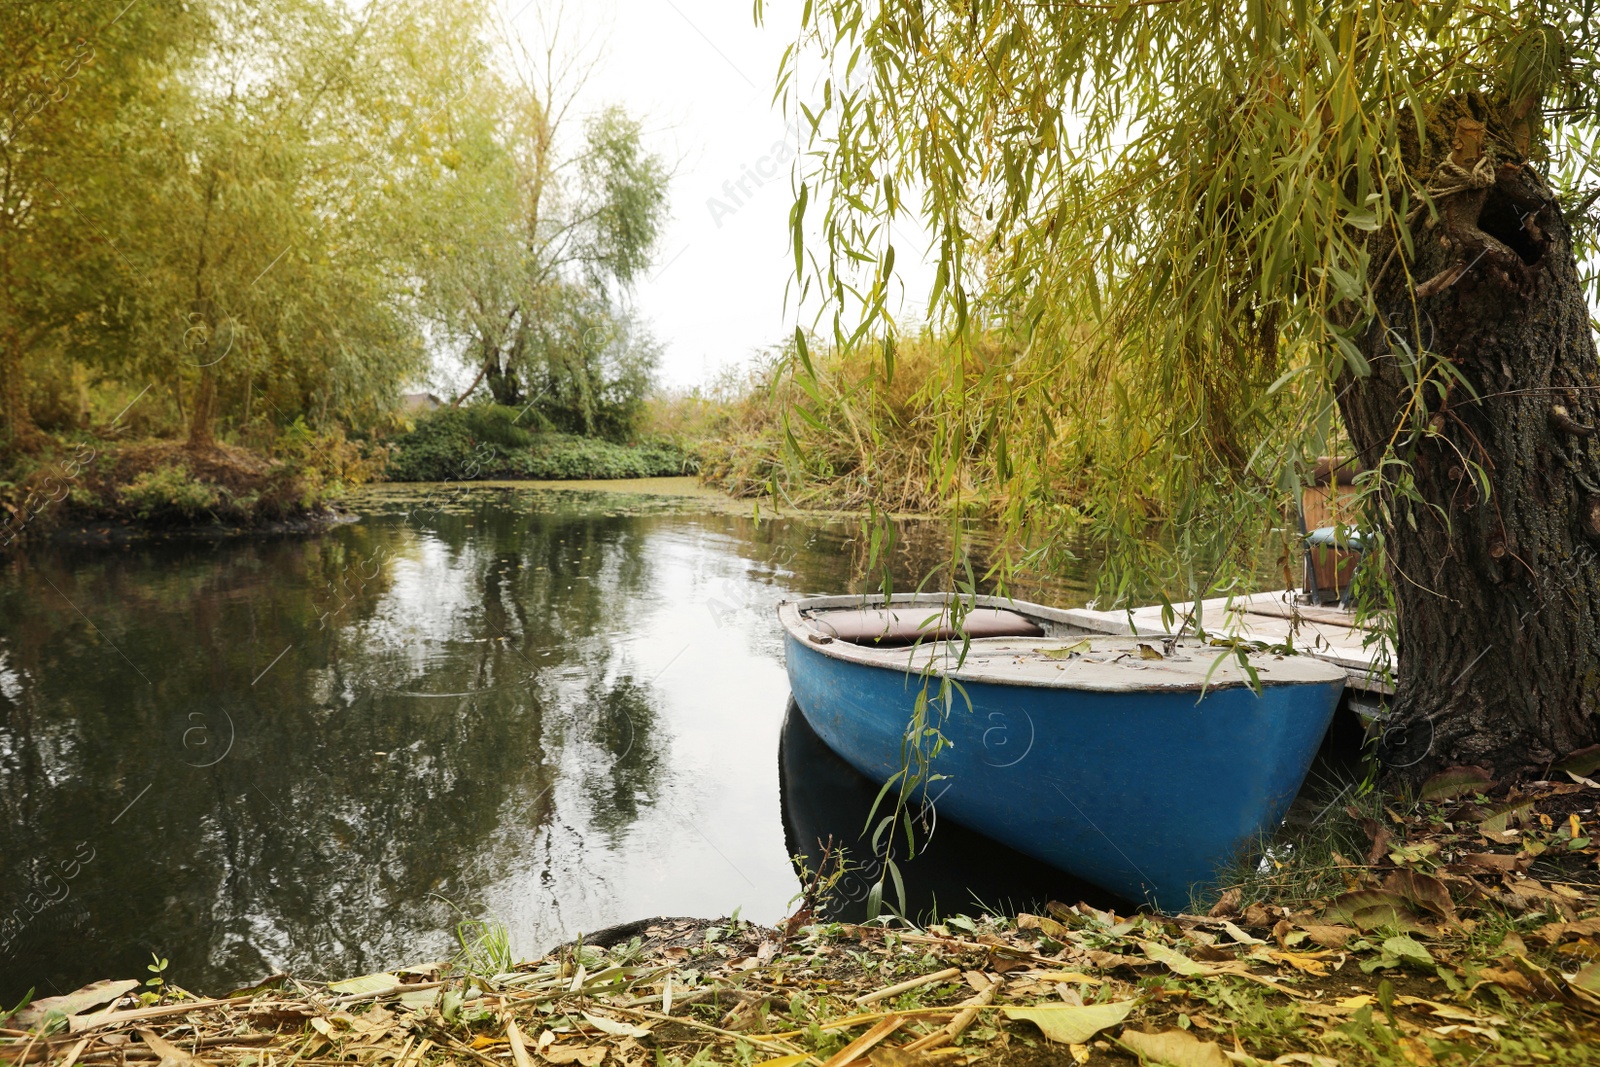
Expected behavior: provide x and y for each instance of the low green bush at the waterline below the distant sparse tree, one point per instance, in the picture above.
(482, 442)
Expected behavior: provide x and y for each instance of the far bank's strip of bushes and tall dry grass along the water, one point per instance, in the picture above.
(735, 436)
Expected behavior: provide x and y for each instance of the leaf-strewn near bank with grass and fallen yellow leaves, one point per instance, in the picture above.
(1460, 929)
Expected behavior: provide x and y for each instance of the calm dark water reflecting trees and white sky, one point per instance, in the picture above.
(316, 754)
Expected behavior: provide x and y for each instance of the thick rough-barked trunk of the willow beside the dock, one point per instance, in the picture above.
(1497, 583)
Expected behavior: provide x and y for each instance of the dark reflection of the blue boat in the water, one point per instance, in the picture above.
(956, 871)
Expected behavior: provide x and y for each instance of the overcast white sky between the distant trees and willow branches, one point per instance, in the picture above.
(700, 74)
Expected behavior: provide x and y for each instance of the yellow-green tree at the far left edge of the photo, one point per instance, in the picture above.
(74, 81)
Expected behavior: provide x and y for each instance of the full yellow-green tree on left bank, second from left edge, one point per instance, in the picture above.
(266, 282)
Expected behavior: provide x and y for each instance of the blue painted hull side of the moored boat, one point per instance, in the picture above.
(1145, 794)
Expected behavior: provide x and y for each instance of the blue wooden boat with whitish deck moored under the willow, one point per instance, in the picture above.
(1138, 764)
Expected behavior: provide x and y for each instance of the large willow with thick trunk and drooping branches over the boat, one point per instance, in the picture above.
(1226, 236)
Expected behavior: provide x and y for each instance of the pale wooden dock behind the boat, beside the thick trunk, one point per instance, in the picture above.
(1276, 618)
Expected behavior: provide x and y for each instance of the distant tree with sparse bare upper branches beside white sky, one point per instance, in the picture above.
(535, 286)
